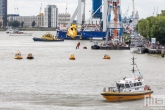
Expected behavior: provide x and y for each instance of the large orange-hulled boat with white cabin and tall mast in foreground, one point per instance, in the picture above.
(128, 89)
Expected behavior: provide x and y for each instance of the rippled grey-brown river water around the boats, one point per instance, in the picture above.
(53, 82)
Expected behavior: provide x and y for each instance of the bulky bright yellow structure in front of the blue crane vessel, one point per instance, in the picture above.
(72, 31)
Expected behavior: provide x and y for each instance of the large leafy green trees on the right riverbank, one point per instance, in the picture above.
(153, 27)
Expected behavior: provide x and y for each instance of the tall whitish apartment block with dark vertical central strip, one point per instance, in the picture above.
(51, 16)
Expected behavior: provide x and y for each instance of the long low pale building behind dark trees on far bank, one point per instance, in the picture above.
(27, 20)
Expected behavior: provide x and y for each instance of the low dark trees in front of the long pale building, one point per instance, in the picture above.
(18, 24)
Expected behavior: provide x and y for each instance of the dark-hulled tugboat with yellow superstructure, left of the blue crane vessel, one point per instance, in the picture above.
(48, 37)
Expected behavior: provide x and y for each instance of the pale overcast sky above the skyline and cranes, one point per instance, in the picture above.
(32, 7)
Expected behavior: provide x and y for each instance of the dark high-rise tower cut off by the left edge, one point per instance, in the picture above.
(3, 11)
